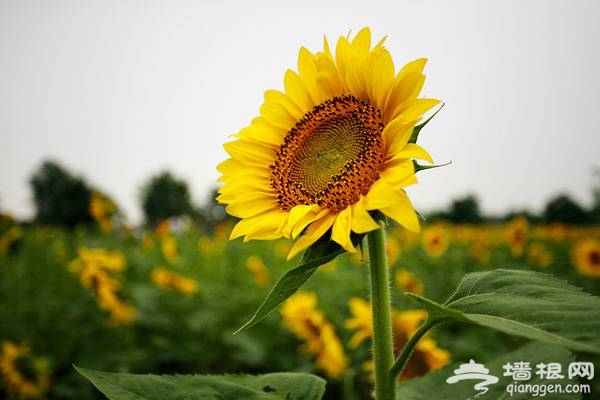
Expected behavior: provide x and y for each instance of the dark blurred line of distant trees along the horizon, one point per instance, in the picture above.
(63, 199)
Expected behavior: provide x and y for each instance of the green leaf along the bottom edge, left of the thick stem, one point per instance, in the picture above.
(284, 385)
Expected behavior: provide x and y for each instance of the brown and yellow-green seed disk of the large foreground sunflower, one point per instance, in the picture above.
(331, 156)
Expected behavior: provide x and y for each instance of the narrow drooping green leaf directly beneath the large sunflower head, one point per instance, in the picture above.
(318, 254)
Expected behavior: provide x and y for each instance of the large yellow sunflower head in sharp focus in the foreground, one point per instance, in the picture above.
(331, 147)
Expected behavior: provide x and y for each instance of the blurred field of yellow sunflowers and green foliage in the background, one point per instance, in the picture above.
(168, 301)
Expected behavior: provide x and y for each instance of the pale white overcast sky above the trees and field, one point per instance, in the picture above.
(119, 90)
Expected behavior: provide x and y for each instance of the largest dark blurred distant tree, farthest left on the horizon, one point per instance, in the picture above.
(60, 198)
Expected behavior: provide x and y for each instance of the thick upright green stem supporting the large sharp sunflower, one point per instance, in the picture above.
(383, 347)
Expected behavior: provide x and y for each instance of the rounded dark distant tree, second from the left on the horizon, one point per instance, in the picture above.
(164, 196)
